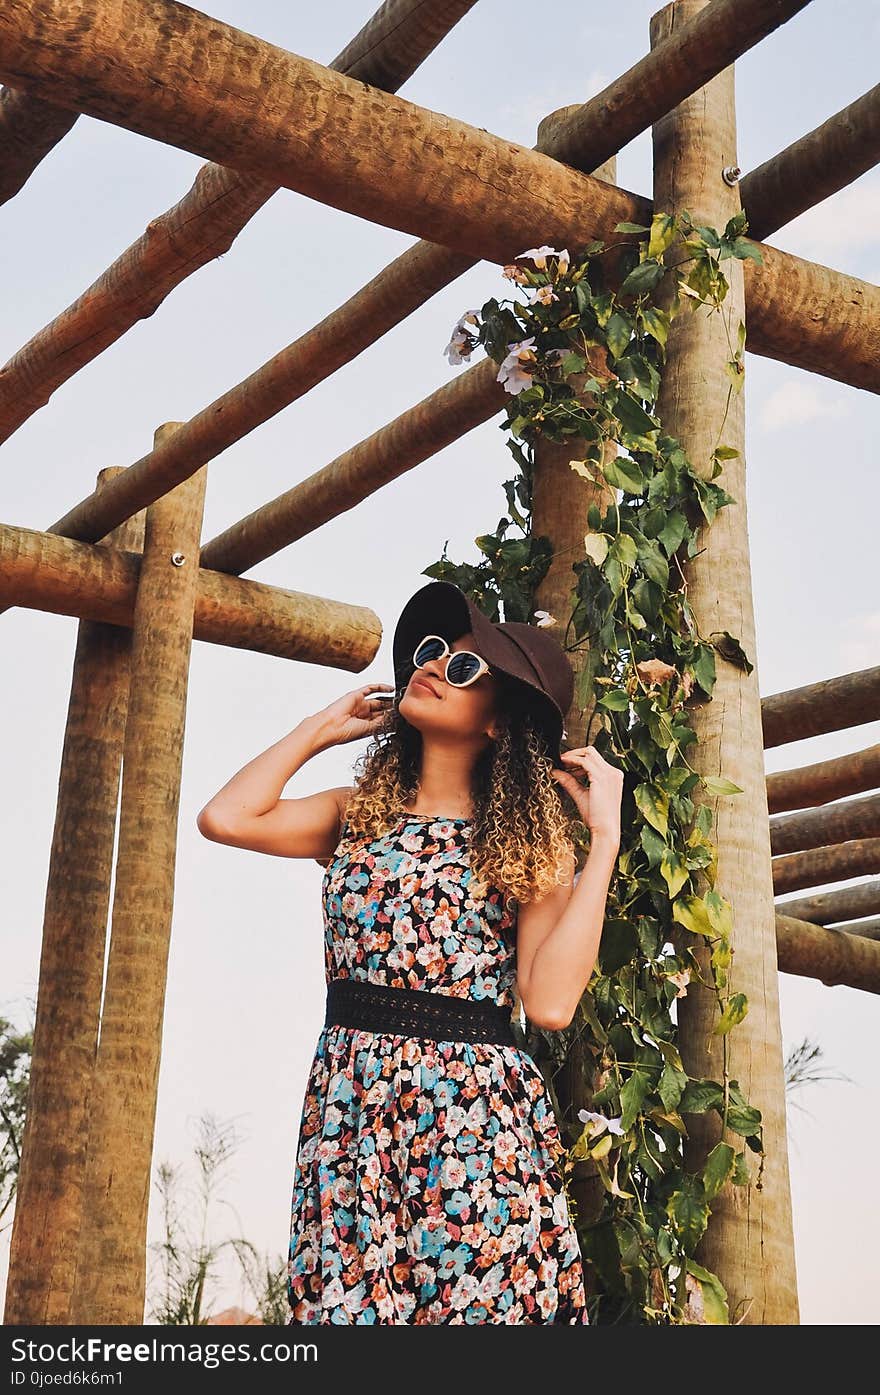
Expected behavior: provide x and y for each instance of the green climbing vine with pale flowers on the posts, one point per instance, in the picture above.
(581, 347)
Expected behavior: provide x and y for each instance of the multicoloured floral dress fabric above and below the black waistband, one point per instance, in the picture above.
(429, 1177)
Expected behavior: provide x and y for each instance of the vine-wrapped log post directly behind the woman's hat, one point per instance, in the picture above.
(560, 503)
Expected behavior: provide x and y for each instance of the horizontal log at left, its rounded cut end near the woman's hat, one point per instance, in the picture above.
(43, 571)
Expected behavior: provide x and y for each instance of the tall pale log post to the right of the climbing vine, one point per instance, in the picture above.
(750, 1241)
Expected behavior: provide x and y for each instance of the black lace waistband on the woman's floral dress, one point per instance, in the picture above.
(408, 1012)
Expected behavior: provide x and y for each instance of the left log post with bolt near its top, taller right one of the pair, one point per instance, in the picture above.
(111, 1279)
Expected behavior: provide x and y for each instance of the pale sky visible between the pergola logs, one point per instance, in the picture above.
(246, 977)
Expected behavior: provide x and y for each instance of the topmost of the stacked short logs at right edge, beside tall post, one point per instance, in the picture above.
(814, 711)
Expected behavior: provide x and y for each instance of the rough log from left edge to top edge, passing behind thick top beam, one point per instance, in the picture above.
(203, 225)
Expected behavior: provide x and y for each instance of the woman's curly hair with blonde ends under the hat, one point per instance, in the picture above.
(521, 838)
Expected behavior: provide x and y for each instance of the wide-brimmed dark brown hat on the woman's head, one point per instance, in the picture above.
(524, 652)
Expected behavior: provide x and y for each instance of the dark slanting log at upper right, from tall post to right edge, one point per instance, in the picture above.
(814, 168)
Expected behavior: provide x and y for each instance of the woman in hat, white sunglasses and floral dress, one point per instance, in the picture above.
(429, 1179)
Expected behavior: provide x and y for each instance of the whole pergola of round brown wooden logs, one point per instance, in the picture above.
(129, 560)
